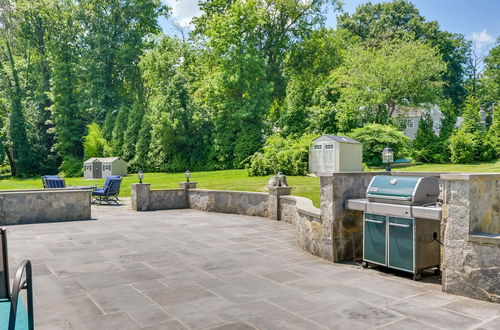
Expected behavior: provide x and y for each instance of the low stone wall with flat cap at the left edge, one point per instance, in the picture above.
(44, 205)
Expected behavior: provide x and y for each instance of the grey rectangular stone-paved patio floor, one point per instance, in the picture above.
(186, 269)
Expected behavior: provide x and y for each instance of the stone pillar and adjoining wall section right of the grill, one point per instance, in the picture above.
(470, 232)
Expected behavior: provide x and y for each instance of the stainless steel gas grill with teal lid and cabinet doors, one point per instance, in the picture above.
(401, 223)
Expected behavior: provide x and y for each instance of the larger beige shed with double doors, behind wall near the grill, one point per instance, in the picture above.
(332, 153)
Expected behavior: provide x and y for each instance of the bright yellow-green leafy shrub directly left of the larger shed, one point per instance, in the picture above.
(288, 155)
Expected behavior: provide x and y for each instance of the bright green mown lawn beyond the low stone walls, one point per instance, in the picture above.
(239, 180)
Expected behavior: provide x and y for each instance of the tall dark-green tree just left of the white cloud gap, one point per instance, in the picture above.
(115, 38)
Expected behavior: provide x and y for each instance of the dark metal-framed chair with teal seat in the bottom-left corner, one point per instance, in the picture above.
(13, 315)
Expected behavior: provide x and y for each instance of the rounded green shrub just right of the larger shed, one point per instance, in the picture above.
(375, 137)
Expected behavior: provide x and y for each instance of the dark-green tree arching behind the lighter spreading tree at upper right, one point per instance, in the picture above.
(397, 20)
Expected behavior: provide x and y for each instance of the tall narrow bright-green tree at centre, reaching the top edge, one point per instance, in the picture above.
(237, 89)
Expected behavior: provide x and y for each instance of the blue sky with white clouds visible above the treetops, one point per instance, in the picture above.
(478, 20)
